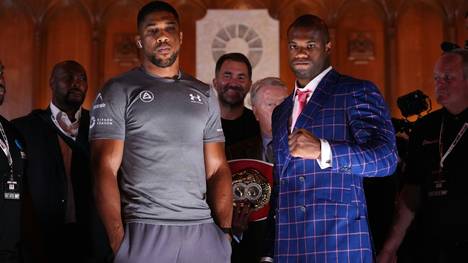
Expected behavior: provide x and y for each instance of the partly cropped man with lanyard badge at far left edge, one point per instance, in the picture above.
(11, 173)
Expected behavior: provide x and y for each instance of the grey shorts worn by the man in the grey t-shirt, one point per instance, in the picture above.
(146, 243)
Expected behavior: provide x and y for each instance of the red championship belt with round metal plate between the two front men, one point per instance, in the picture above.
(252, 181)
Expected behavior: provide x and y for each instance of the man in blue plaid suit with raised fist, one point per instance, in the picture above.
(322, 152)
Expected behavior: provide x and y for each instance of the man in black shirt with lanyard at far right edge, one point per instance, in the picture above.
(436, 173)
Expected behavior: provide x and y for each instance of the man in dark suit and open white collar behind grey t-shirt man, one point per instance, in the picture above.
(58, 175)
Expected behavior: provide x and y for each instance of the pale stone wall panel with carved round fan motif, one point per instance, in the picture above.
(254, 34)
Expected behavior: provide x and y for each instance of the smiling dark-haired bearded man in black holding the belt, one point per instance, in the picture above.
(233, 78)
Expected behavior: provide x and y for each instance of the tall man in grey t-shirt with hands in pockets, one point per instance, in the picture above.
(163, 186)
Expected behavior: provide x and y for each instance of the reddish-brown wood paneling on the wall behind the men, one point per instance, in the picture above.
(36, 34)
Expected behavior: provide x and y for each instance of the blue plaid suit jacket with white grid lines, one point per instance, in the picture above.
(320, 215)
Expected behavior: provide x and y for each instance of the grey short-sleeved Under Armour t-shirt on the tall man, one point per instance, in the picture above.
(164, 124)
